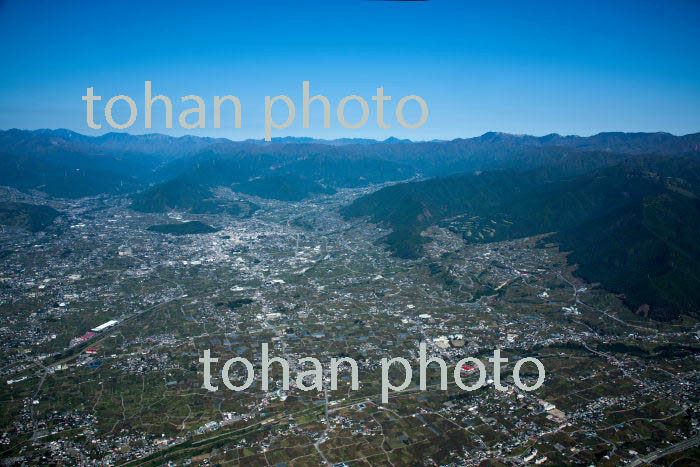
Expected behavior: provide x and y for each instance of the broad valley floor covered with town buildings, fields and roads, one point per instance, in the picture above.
(619, 389)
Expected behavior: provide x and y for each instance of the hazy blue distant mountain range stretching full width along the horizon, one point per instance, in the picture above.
(67, 164)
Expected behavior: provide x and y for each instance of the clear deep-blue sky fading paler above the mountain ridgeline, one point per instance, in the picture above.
(572, 67)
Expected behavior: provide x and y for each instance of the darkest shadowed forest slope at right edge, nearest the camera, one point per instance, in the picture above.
(647, 251)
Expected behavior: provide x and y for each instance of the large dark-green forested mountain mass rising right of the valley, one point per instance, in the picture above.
(631, 226)
